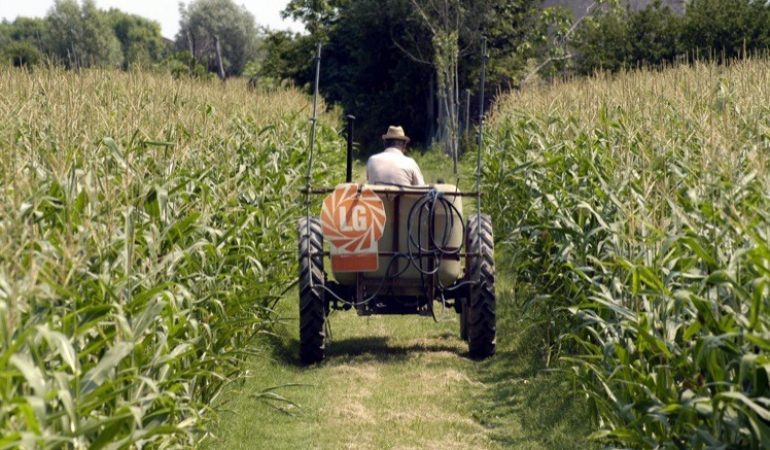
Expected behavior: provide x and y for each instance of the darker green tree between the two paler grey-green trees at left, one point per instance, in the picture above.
(140, 39)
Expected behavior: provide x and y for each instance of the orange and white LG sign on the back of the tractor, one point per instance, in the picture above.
(353, 219)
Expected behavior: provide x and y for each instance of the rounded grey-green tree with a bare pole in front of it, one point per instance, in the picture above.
(205, 21)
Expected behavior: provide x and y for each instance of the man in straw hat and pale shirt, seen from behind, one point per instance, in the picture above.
(392, 166)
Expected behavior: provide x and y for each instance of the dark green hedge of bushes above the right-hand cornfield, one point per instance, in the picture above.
(655, 36)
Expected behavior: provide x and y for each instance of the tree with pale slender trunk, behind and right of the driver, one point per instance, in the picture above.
(454, 29)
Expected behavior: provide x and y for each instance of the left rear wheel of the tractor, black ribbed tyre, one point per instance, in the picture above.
(312, 305)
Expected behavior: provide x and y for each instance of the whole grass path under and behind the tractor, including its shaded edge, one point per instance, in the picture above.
(401, 382)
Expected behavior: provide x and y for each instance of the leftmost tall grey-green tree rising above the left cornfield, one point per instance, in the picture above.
(82, 36)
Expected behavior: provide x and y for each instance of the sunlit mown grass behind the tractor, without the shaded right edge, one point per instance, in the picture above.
(387, 382)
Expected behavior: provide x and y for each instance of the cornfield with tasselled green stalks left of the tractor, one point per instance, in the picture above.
(146, 229)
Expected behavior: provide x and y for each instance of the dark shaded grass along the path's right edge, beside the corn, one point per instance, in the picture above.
(526, 404)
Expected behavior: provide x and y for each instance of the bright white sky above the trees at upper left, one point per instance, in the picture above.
(266, 12)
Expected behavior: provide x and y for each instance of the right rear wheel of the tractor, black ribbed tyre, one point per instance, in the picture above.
(479, 307)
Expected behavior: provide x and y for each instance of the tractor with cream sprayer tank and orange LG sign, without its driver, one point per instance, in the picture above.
(394, 250)
